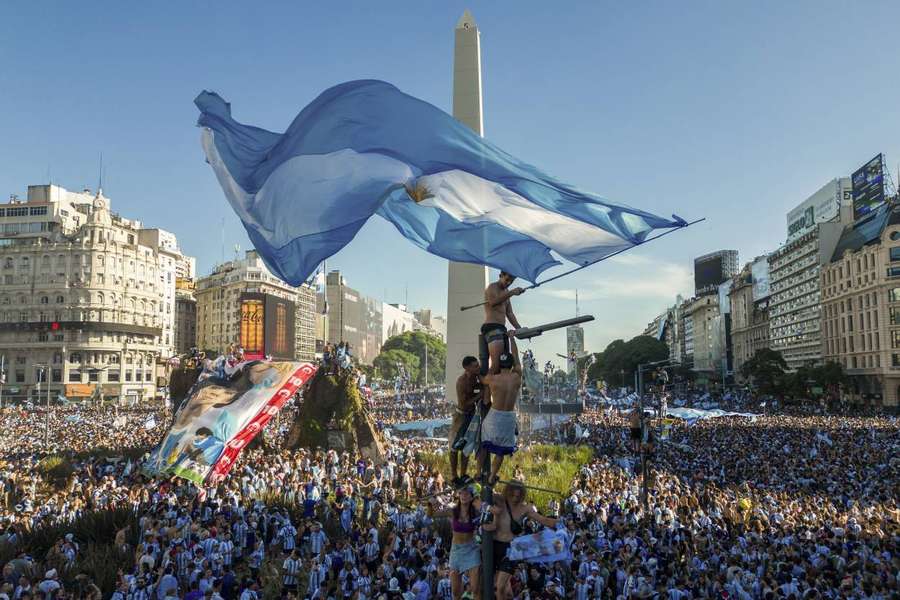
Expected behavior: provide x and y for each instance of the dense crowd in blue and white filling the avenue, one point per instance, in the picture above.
(767, 508)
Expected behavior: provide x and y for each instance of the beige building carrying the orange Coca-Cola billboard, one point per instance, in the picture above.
(236, 302)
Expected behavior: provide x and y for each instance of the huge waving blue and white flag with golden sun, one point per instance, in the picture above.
(365, 147)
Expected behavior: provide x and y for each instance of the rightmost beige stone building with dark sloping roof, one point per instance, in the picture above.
(860, 285)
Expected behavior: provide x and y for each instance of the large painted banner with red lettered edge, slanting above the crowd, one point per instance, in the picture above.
(221, 416)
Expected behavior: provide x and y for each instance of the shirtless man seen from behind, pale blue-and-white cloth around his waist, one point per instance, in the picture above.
(498, 430)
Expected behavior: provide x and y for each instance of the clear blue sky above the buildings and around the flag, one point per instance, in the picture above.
(732, 111)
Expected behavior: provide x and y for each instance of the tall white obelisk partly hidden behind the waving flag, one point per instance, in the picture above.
(465, 282)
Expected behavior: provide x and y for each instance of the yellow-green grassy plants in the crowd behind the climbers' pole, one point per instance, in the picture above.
(544, 465)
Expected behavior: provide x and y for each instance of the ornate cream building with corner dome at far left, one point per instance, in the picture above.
(86, 303)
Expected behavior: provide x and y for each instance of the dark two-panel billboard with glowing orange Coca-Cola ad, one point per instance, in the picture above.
(267, 326)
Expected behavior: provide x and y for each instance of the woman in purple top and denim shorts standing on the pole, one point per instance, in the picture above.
(465, 555)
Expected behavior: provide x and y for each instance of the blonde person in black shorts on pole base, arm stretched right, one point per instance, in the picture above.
(509, 512)
